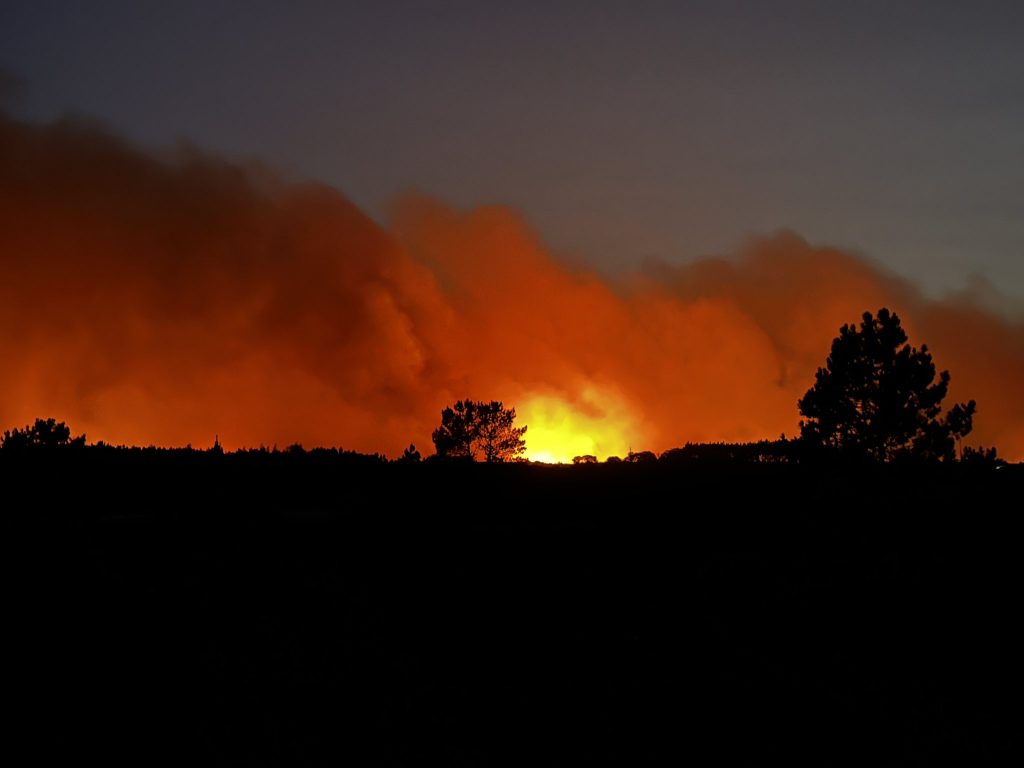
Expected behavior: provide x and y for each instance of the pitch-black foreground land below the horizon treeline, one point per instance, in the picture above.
(303, 612)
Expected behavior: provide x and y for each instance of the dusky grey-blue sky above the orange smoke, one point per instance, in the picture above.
(622, 131)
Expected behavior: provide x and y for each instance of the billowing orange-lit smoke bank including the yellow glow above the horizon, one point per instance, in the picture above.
(163, 301)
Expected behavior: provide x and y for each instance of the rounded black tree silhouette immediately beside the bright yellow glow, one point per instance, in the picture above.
(476, 430)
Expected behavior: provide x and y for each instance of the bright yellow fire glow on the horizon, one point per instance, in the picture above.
(598, 423)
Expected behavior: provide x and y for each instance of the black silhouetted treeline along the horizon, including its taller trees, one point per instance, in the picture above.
(877, 401)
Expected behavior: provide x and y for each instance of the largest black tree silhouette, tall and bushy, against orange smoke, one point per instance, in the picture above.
(877, 398)
